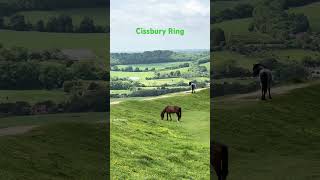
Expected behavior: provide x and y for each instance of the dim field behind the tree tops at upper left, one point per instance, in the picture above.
(99, 15)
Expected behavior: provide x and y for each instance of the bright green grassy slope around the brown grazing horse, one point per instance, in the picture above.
(143, 146)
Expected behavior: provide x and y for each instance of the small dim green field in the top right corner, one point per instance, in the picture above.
(312, 12)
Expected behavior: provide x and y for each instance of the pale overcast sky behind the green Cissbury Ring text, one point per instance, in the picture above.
(191, 15)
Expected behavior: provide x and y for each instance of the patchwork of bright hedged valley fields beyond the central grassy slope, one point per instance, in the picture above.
(160, 75)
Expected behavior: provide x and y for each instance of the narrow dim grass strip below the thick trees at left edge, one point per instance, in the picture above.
(32, 96)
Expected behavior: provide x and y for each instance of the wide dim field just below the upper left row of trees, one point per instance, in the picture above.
(43, 40)
